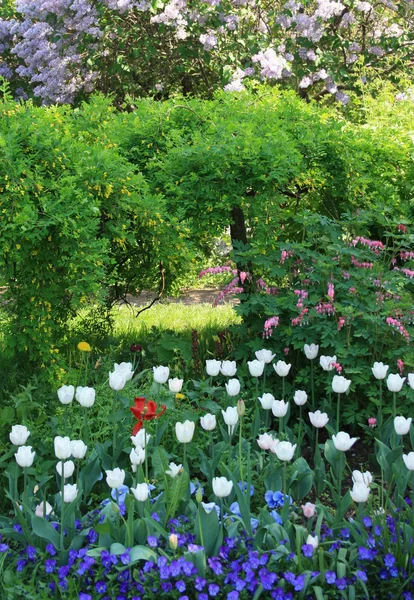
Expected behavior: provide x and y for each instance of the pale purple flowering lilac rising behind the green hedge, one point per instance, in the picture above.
(61, 49)
